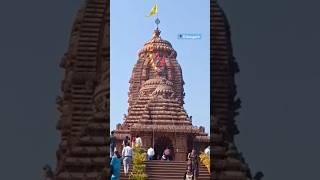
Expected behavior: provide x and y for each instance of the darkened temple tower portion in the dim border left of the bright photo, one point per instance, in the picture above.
(83, 126)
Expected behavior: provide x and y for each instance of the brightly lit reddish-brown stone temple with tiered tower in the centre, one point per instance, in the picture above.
(156, 98)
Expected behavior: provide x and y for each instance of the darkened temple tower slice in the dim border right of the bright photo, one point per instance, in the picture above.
(228, 163)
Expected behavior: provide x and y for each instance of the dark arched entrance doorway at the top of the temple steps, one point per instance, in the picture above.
(161, 143)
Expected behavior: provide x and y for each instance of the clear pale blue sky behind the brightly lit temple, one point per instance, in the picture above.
(130, 29)
